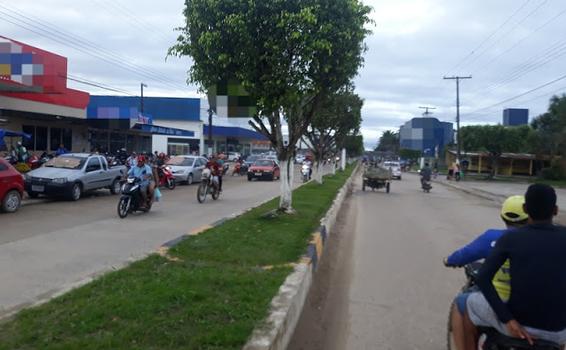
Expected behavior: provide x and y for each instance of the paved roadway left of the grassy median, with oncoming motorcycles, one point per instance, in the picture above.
(46, 248)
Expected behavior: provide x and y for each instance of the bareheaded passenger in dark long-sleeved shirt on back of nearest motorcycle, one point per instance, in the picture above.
(536, 308)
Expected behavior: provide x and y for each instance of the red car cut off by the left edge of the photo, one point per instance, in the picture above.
(11, 187)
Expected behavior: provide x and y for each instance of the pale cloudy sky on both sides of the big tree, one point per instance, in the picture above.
(510, 47)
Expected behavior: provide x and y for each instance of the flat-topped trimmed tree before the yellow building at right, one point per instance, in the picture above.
(495, 140)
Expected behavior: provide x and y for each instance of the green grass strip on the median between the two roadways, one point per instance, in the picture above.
(211, 296)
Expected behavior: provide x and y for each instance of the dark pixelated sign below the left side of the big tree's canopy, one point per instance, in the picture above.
(229, 99)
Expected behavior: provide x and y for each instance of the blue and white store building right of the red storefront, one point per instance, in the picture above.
(168, 125)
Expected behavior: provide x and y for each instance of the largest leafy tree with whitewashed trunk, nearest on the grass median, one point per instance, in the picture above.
(287, 54)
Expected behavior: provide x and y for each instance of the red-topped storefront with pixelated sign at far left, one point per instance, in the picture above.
(34, 99)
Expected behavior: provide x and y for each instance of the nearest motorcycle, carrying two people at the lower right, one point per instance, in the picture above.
(489, 338)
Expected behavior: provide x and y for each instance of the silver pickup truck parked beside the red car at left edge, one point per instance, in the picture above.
(73, 174)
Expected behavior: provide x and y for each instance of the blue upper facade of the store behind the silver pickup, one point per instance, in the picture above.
(127, 107)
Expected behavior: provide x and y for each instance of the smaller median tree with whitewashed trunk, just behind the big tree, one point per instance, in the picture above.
(339, 116)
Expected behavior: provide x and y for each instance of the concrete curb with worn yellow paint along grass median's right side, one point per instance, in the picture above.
(276, 331)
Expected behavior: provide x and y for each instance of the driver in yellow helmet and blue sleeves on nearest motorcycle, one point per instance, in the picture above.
(514, 216)
